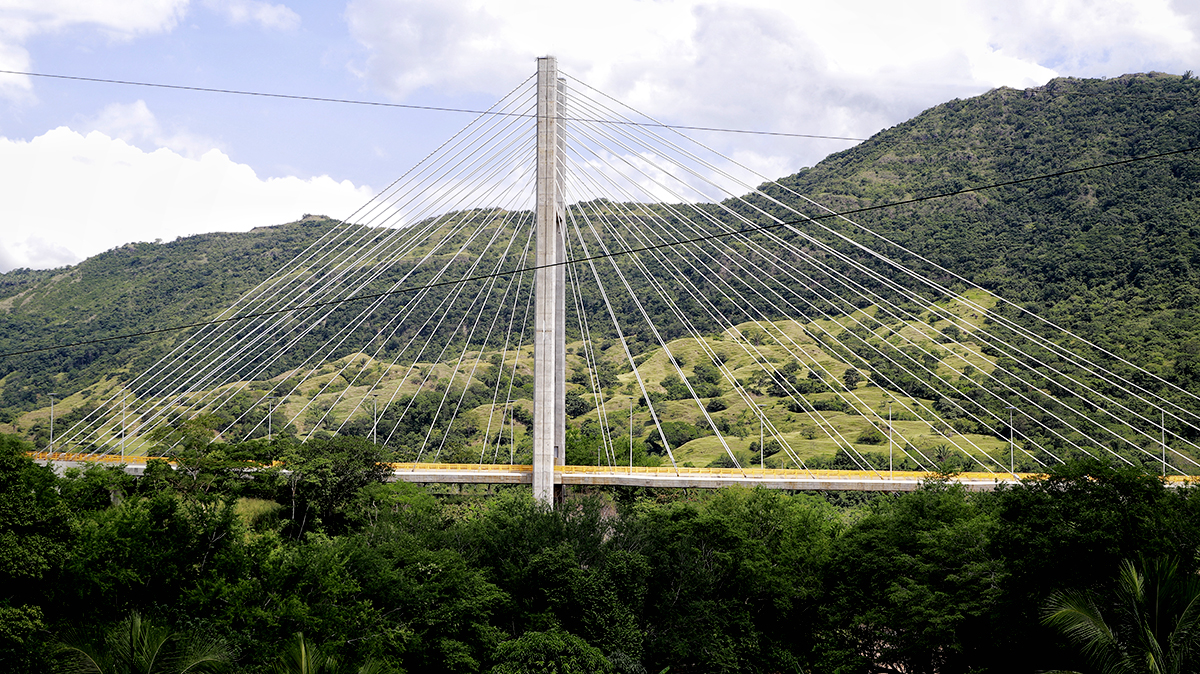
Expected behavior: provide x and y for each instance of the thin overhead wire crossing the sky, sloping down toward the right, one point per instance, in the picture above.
(410, 106)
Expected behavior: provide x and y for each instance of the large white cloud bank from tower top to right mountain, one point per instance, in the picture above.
(838, 69)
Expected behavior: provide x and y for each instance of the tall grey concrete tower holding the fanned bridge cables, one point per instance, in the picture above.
(550, 286)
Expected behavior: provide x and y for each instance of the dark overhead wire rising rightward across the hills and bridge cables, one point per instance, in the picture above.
(614, 254)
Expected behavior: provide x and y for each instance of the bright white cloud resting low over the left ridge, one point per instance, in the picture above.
(65, 197)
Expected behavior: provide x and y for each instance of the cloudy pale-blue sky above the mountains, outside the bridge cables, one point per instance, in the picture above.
(87, 167)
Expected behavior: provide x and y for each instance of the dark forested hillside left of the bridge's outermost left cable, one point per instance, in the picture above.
(129, 290)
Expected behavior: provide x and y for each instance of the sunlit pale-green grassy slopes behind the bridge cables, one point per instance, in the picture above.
(339, 400)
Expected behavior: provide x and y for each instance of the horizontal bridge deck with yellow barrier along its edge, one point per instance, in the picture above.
(641, 477)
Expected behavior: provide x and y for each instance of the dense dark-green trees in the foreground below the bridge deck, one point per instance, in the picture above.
(410, 580)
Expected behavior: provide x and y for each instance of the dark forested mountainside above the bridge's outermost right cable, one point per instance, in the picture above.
(1113, 254)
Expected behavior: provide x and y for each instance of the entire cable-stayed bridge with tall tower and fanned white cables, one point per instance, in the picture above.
(565, 256)
